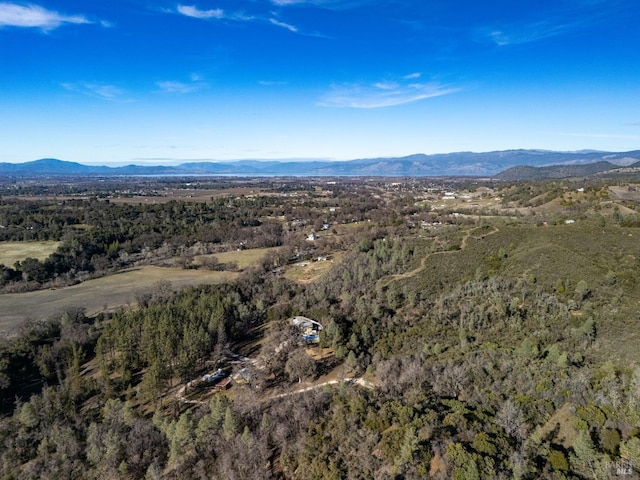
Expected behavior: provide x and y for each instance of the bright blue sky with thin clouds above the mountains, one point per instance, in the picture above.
(161, 82)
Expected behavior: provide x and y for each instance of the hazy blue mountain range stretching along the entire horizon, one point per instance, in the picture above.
(507, 165)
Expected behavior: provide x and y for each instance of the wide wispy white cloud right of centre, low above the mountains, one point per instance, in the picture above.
(384, 93)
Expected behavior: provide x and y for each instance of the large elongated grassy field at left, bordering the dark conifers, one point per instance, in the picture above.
(97, 295)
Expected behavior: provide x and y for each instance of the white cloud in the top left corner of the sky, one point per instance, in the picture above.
(34, 16)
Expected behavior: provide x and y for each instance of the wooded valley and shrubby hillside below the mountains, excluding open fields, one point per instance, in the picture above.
(491, 336)
